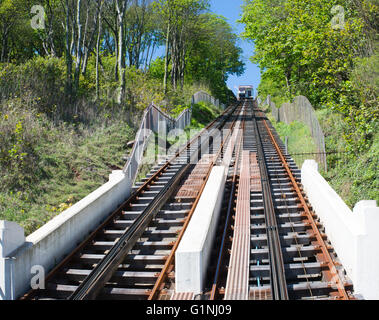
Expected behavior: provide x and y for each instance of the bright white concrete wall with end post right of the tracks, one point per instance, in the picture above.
(353, 234)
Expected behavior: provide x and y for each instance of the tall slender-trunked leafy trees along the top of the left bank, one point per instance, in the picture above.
(199, 46)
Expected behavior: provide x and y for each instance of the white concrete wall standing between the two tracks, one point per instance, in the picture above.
(192, 255)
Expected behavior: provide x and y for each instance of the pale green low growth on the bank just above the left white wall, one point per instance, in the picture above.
(75, 163)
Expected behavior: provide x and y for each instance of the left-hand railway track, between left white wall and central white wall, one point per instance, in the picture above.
(130, 255)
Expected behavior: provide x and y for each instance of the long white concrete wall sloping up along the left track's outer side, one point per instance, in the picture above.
(47, 246)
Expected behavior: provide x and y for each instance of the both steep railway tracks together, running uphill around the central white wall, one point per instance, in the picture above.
(269, 245)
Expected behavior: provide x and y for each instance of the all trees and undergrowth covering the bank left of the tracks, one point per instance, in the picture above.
(75, 80)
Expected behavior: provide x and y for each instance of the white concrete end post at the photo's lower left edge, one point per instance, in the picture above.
(11, 238)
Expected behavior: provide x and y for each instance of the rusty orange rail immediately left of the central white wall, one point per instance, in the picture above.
(170, 260)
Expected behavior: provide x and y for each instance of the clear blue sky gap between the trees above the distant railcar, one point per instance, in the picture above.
(231, 9)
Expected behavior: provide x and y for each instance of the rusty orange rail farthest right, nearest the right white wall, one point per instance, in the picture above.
(340, 285)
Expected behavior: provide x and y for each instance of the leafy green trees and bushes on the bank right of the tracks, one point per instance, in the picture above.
(327, 51)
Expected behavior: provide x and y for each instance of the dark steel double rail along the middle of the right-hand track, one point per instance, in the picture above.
(277, 273)
